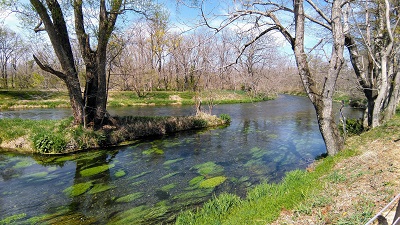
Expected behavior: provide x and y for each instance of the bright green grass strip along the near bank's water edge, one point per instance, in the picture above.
(264, 202)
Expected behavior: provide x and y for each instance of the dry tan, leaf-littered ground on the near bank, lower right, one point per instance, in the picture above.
(358, 188)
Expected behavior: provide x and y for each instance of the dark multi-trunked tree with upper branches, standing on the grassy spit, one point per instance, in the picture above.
(92, 39)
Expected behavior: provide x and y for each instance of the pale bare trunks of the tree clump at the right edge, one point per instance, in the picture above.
(379, 77)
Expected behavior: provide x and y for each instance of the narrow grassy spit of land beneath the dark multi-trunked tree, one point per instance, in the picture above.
(59, 137)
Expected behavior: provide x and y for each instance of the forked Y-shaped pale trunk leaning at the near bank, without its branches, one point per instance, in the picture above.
(322, 98)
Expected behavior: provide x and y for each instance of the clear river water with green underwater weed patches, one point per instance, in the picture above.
(152, 180)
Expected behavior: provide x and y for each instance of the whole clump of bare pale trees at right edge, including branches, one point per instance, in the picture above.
(372, 34)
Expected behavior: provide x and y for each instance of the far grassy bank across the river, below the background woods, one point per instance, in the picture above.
(13, 99)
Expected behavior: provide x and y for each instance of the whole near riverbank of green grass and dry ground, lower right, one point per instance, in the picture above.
(349, 188)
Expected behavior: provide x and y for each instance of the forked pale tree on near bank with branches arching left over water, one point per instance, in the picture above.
(263, 16)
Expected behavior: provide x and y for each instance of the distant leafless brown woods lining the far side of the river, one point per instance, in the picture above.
(149, 56)
